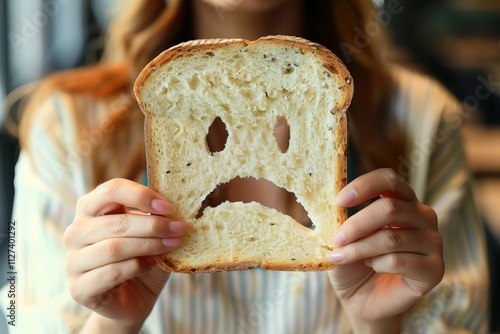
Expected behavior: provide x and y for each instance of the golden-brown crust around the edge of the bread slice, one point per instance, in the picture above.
(330, 62)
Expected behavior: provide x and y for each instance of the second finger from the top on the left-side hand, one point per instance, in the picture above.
(122, 225)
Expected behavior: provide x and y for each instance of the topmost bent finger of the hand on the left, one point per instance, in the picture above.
(115, 193)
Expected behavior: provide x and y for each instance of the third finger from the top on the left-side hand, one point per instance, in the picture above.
(117, 250)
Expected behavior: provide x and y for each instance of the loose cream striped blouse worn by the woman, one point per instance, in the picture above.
(256, 301)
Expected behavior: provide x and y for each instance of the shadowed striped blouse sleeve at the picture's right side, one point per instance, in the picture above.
(459, 304)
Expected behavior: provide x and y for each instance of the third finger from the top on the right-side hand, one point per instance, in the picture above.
(386, 241)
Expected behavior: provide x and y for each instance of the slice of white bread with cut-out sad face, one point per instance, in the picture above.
(250, 86)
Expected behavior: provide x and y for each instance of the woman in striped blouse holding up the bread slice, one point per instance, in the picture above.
(82, 167)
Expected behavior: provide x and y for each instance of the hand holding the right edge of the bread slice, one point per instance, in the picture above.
(390, 252)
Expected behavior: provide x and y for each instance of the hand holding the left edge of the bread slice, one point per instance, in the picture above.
(110, 262)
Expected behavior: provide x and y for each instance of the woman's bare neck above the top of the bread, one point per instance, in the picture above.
(212, 22)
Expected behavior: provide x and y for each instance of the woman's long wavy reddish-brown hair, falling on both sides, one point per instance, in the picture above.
(141, 29)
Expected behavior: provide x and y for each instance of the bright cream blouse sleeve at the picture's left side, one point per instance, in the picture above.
(44, 205)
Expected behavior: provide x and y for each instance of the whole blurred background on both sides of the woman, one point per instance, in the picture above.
(455, 41)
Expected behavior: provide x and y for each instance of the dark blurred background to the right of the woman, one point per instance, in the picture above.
(458, 43)
